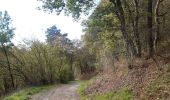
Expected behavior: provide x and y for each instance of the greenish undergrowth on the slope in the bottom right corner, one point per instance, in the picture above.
(160, 88)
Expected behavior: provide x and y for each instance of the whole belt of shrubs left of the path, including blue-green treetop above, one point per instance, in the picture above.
(37, 63)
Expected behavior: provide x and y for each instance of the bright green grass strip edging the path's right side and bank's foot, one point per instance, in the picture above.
(122, 94)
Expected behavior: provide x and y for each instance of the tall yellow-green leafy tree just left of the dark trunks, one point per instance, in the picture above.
(102, 37)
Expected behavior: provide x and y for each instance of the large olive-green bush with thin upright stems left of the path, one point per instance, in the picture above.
(44, 64)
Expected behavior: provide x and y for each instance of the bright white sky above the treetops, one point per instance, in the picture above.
(31, 23)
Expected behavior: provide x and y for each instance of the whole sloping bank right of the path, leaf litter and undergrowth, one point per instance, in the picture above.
(148, 80)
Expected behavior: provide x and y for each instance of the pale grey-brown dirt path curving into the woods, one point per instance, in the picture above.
(65, 92)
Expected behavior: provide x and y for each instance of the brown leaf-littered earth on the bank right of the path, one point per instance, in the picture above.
(143, 73)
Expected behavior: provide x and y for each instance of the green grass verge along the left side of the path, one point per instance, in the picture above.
(26, 93)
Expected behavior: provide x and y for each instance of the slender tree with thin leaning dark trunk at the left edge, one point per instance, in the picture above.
(6, 34)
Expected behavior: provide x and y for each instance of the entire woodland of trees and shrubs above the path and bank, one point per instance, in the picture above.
(117, 29)
